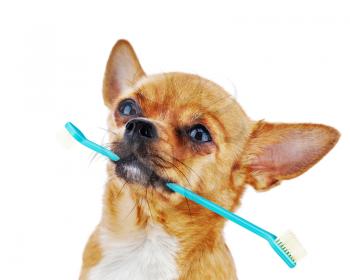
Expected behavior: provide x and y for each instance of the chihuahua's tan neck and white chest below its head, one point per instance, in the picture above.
(179, 239)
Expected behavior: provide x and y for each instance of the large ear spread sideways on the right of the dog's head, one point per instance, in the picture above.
(283, 151)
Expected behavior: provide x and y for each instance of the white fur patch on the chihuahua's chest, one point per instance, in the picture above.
(146, 255)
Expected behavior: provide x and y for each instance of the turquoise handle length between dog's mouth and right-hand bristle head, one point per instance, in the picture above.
(221, 211)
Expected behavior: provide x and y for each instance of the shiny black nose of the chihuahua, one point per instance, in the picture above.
(140, 129)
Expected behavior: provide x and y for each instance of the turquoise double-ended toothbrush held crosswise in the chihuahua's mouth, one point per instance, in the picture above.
(286, 246)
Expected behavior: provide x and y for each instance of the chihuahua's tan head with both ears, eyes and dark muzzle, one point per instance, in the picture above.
(181, 128)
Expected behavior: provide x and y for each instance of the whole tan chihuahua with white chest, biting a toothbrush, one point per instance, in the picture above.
(182, 128)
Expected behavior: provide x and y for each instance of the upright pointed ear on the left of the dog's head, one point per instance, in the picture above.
(122, 71)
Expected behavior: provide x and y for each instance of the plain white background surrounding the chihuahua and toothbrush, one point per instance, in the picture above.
(288, 60)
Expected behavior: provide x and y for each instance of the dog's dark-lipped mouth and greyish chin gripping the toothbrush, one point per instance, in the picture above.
(133, 170)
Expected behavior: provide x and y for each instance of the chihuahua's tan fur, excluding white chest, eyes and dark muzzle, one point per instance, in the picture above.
(239, 155)
